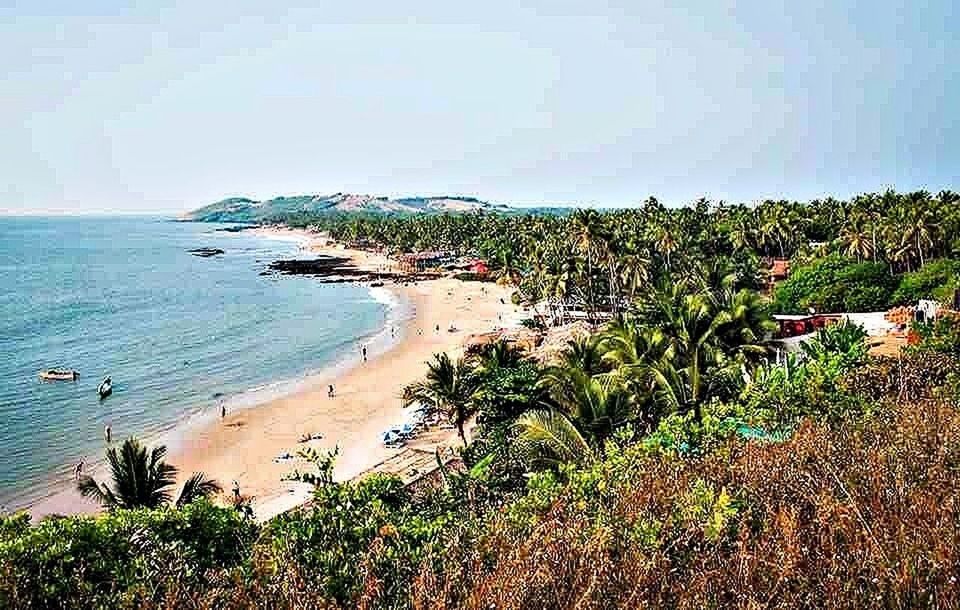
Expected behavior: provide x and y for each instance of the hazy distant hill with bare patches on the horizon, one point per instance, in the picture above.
(241, 209)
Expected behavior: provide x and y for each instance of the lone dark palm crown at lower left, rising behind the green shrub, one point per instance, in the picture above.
(141, 479)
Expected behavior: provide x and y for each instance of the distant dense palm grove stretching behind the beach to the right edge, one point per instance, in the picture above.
(598, 259)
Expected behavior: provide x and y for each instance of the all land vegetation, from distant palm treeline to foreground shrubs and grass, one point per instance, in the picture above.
(663, 458)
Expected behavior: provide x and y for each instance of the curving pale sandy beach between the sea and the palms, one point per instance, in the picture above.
(244, 446)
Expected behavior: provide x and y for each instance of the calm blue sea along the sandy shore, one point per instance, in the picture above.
(122, 296)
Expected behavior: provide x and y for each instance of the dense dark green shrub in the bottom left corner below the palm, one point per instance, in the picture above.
(122, 558)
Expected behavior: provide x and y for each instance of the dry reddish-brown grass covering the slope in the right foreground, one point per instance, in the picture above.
(855, 517)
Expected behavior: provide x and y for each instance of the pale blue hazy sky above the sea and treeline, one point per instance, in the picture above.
(158, 107)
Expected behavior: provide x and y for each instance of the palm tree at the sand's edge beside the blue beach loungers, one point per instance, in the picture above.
(448, 388)
